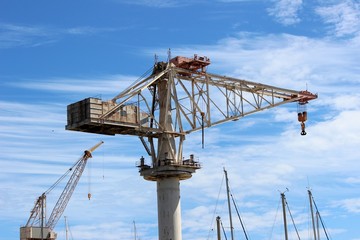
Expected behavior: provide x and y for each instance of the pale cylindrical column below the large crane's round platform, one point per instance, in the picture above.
(169, 209)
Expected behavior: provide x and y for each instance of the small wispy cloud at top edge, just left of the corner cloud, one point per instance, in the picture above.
(286, 11)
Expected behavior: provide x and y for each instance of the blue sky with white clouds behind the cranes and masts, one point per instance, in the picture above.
(54, 53)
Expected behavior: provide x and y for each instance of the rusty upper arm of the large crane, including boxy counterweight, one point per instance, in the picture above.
(198, 100)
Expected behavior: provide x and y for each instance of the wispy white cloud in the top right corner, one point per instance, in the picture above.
(342, 17)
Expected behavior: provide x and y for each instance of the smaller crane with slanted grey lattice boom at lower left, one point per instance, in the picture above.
(37, 227)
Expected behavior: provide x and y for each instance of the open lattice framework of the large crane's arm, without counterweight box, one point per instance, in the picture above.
(200, 100)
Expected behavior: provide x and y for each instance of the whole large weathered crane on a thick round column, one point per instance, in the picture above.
(176, 98)
